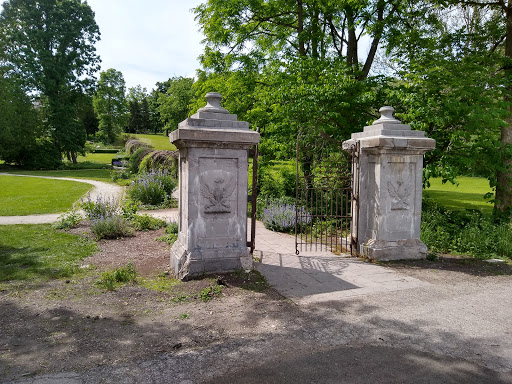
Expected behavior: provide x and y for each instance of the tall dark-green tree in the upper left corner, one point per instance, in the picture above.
(50, 44)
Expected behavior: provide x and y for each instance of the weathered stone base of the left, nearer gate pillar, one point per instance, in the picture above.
(197, 263)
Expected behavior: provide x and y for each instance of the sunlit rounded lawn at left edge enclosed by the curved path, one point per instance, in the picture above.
(27, 196)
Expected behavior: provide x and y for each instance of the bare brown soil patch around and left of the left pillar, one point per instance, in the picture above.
(74, 324)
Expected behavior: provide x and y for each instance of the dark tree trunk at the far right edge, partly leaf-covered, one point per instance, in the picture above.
(503, 203)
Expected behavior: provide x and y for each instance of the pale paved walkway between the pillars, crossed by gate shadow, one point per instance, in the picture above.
(320, 276)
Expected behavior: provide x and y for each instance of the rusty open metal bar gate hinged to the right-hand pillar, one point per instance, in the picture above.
(324, 196)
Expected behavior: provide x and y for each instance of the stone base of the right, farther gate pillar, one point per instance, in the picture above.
(412, 249)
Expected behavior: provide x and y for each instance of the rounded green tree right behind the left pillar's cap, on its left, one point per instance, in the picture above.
(173, 103)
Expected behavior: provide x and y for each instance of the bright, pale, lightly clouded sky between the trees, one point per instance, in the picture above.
(148, 41)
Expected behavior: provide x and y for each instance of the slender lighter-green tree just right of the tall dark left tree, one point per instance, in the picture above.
(110, 104)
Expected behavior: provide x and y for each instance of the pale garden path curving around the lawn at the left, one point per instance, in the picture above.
(100, 188)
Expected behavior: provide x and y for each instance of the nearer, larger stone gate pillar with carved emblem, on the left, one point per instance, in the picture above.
(213, 147)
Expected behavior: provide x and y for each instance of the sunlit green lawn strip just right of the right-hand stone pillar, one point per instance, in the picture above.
(469, 194)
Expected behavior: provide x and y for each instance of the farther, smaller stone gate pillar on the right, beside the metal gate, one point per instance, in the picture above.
(388, 213)
